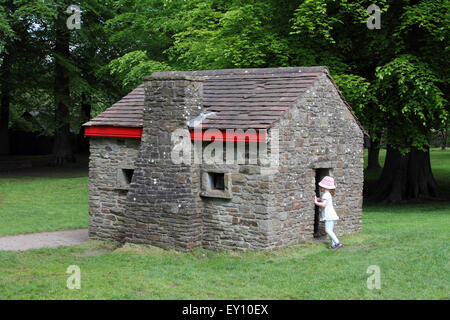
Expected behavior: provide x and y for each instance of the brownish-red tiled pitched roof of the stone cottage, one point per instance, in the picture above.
(240, 98)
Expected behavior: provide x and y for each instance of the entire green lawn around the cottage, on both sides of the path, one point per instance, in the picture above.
(408, 242)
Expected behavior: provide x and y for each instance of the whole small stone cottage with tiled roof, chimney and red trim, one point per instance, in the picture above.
(297, 115)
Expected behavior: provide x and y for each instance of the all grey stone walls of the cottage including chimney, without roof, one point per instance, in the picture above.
(171, 205)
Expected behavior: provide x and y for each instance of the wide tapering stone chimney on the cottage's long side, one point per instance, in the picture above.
(163, 203)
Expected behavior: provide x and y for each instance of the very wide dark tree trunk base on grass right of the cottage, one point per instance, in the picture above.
(405, 177)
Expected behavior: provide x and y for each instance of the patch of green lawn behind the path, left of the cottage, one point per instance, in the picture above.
(43, 200)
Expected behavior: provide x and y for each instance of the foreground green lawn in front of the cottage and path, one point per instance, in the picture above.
(408, 243)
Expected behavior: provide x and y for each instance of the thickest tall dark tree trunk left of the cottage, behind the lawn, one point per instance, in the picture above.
(62, 147)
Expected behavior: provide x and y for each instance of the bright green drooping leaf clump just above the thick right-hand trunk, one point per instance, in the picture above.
(411, 102)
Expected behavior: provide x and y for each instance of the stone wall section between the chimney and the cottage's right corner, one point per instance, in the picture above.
(240, 222)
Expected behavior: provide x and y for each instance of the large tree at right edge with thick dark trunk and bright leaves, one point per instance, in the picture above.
(411, 87)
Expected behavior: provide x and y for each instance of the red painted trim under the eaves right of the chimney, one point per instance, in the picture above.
(221, 135)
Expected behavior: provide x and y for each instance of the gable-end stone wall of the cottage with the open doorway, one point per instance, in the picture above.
(319, 132)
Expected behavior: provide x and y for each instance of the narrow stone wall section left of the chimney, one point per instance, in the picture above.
(107, 187)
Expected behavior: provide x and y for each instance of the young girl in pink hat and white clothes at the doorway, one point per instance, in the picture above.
(328, 212)
